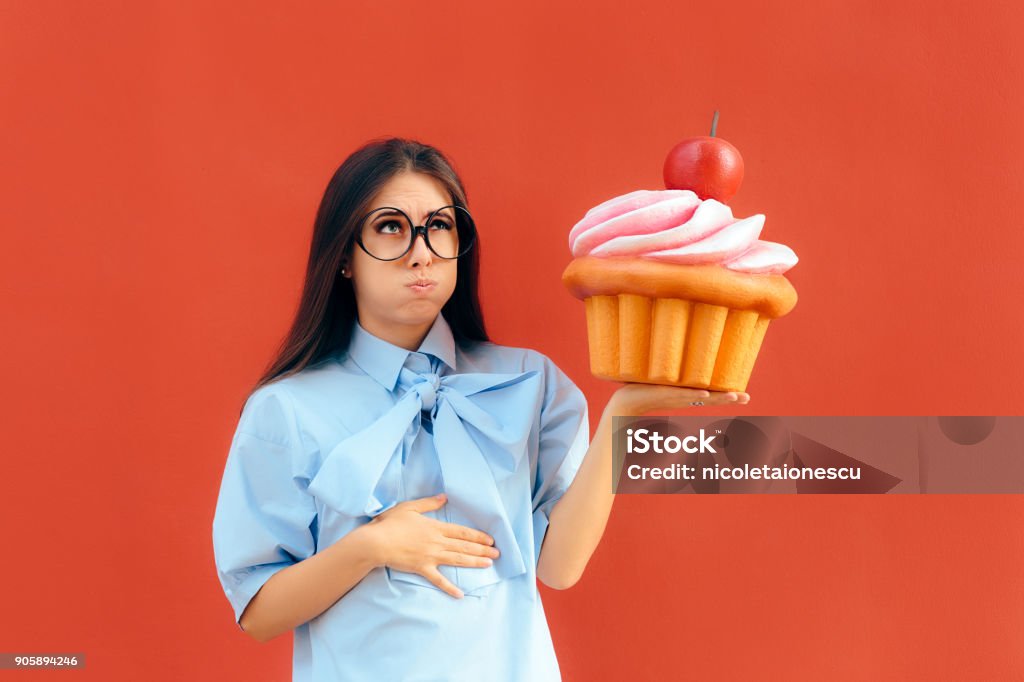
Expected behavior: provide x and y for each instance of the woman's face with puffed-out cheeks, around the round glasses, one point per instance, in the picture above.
(389, 304)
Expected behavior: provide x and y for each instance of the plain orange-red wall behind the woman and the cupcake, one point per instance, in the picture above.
(163, 165)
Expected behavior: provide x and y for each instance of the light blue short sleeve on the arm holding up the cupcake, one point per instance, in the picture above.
(565, 440)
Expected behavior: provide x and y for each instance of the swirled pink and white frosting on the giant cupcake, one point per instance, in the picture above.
(676, 227)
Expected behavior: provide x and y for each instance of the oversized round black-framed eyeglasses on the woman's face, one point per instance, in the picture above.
(388, 234)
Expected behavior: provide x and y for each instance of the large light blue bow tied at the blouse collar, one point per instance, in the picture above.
(479, 444)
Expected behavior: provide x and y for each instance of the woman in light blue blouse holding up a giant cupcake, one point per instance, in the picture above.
(388, 394)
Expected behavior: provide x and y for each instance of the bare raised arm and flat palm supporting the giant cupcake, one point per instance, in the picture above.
(579, 519)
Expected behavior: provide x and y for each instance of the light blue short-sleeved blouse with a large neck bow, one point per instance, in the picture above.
(501, 431)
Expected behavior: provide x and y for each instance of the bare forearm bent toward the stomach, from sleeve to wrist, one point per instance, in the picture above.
(305, 590)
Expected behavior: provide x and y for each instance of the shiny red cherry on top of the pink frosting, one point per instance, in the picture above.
(709, 166)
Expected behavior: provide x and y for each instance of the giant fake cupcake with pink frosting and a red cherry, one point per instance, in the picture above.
(678, 291)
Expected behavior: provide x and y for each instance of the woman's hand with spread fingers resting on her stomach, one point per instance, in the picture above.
(411, 542)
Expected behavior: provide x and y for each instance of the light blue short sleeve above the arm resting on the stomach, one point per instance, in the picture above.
(265, 517)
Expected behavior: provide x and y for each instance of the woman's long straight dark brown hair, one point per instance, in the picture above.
(327, 310)
